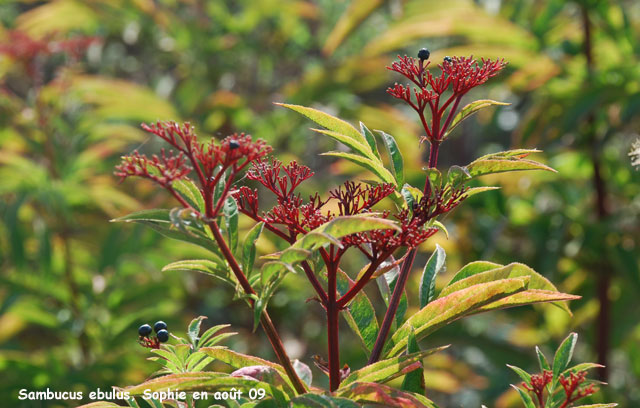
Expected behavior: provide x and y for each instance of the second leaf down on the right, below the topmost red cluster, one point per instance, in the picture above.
(505, 161)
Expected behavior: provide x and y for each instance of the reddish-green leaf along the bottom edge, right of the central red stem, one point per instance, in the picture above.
(383, 395)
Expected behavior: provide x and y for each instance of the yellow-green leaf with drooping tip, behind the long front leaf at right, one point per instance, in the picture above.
(512, 270)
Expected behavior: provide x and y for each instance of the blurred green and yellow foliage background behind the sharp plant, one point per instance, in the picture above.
(74, 287)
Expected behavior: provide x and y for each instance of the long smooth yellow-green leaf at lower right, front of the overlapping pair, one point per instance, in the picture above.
(447, 309)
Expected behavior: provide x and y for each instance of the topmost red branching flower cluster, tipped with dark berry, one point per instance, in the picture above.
(459, 74)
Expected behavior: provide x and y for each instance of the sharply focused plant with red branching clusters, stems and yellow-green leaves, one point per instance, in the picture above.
(202, 178)
